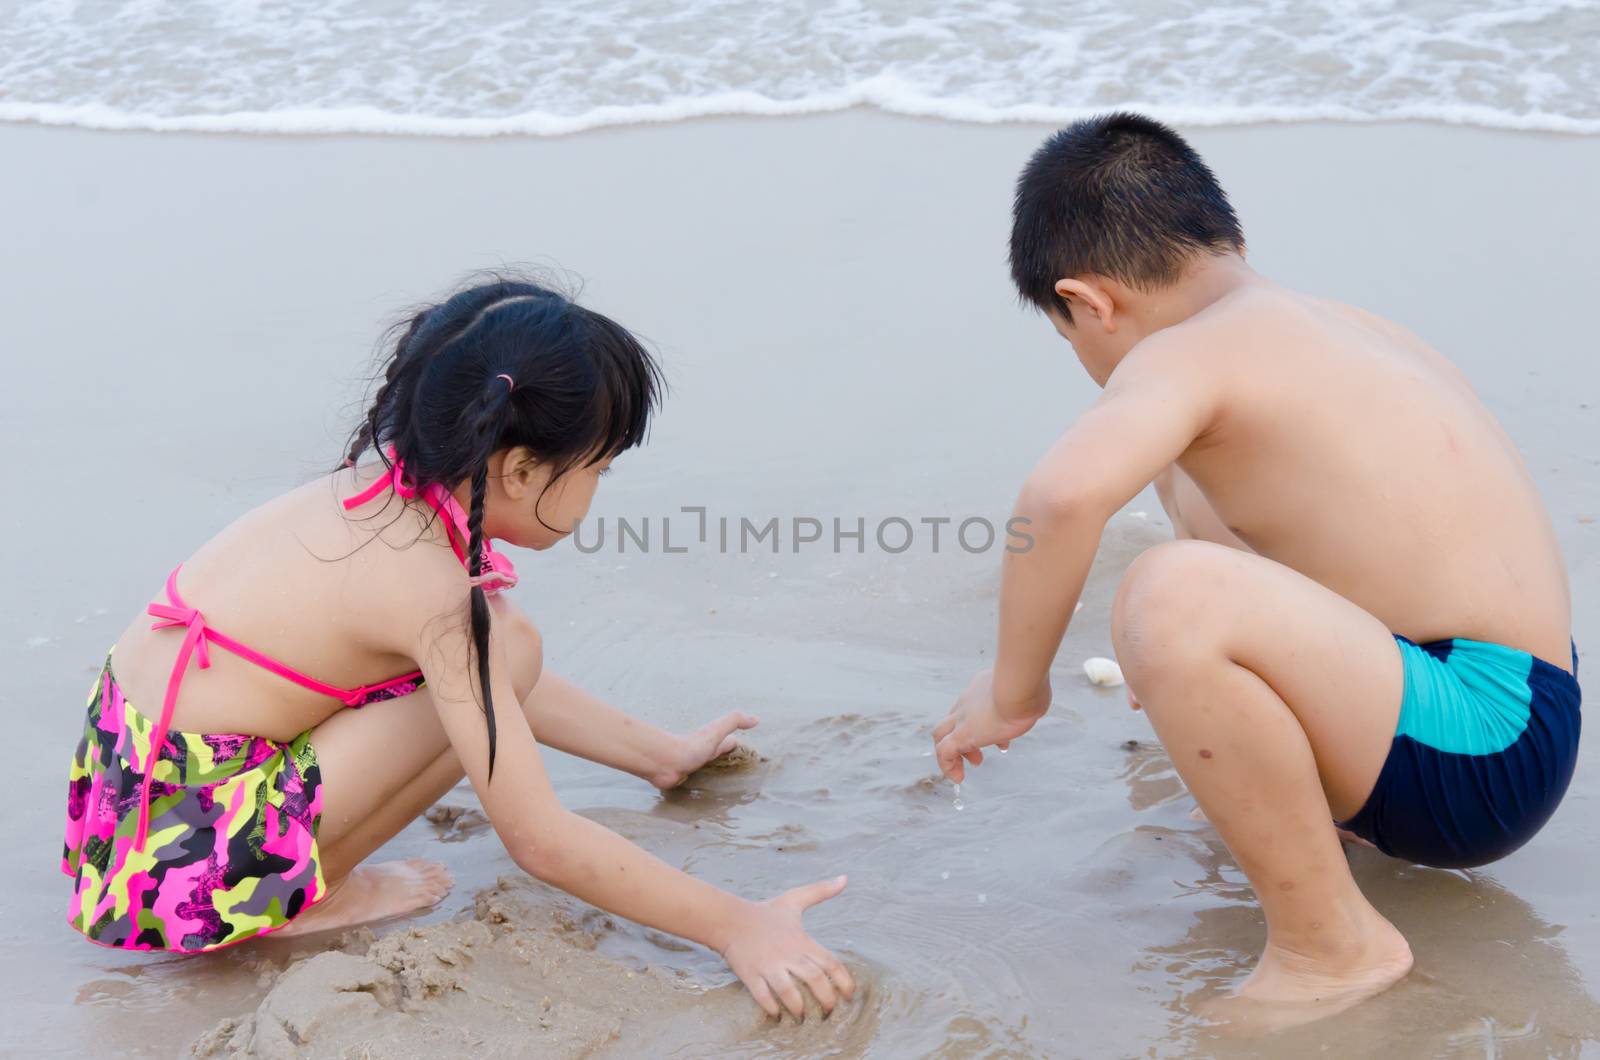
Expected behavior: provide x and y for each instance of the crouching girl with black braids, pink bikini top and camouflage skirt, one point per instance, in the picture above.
(332, 664)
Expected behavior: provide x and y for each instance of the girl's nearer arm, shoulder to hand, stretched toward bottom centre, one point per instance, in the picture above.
(764, 942)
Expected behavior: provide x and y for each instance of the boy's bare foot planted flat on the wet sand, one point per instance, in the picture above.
(1290, 989)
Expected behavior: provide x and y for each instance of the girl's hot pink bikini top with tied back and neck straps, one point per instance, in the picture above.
(498, 574)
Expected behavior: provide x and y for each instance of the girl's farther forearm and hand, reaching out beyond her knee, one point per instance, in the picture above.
(569, 720)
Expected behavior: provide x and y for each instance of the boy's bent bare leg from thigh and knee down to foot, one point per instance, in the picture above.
(1278, 702)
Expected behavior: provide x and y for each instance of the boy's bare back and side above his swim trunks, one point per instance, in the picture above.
(1346, 449)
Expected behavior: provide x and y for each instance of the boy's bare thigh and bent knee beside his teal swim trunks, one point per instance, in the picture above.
(1337, 667)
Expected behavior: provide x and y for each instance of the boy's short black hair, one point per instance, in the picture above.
(1121, 196)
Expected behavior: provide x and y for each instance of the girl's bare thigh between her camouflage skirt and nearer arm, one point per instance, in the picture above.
(367, 757)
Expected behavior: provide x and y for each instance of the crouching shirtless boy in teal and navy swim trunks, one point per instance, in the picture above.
(1366, 616)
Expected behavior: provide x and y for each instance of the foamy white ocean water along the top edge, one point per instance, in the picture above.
(494, 68)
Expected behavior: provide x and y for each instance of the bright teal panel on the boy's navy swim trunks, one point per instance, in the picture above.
(1473, 702)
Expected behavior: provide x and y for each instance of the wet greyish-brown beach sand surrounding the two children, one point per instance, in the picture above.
(188, 321)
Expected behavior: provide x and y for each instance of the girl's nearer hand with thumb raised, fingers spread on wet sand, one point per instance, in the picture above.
(772, 955)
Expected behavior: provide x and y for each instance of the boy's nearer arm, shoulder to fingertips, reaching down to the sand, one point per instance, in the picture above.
(1159, 401)
